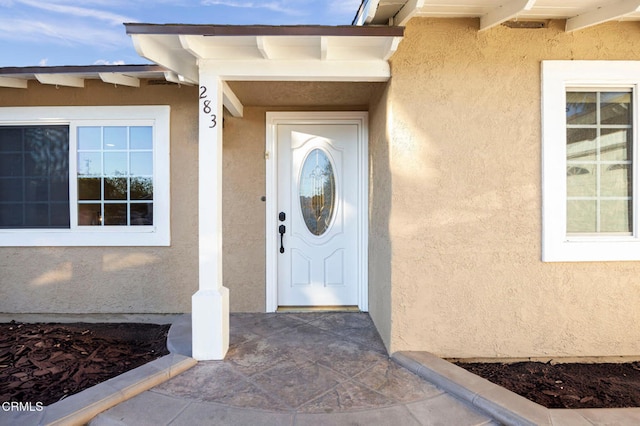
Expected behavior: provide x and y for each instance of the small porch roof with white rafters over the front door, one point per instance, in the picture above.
(270, 53)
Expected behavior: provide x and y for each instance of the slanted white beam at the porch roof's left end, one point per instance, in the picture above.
(162, 55)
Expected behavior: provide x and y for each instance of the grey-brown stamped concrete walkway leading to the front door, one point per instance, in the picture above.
(294, 369)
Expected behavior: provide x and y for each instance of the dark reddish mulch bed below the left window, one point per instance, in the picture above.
(48, 362)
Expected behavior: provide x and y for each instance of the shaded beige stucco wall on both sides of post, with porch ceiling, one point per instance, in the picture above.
(163, 279)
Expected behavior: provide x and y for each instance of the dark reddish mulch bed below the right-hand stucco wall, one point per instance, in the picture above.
(567, 385)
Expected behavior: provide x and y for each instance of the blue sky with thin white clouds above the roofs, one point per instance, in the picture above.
(91, 32)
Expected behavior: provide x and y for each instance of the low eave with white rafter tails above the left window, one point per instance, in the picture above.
(74, 76)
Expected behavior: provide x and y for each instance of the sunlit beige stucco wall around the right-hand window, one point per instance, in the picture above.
(465, 200)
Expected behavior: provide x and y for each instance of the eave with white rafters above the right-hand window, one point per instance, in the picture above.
(578, 13)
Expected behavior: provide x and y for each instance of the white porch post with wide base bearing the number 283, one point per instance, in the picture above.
(210, 305)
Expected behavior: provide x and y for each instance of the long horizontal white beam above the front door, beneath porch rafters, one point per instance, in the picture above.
(305, 70)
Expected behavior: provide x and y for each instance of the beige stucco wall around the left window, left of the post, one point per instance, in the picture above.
(114, 279)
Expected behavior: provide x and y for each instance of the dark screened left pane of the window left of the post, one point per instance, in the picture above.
(34, 170)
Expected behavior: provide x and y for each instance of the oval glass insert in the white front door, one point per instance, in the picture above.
(317, 191)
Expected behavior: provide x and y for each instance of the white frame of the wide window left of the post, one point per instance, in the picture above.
(159, 234)
